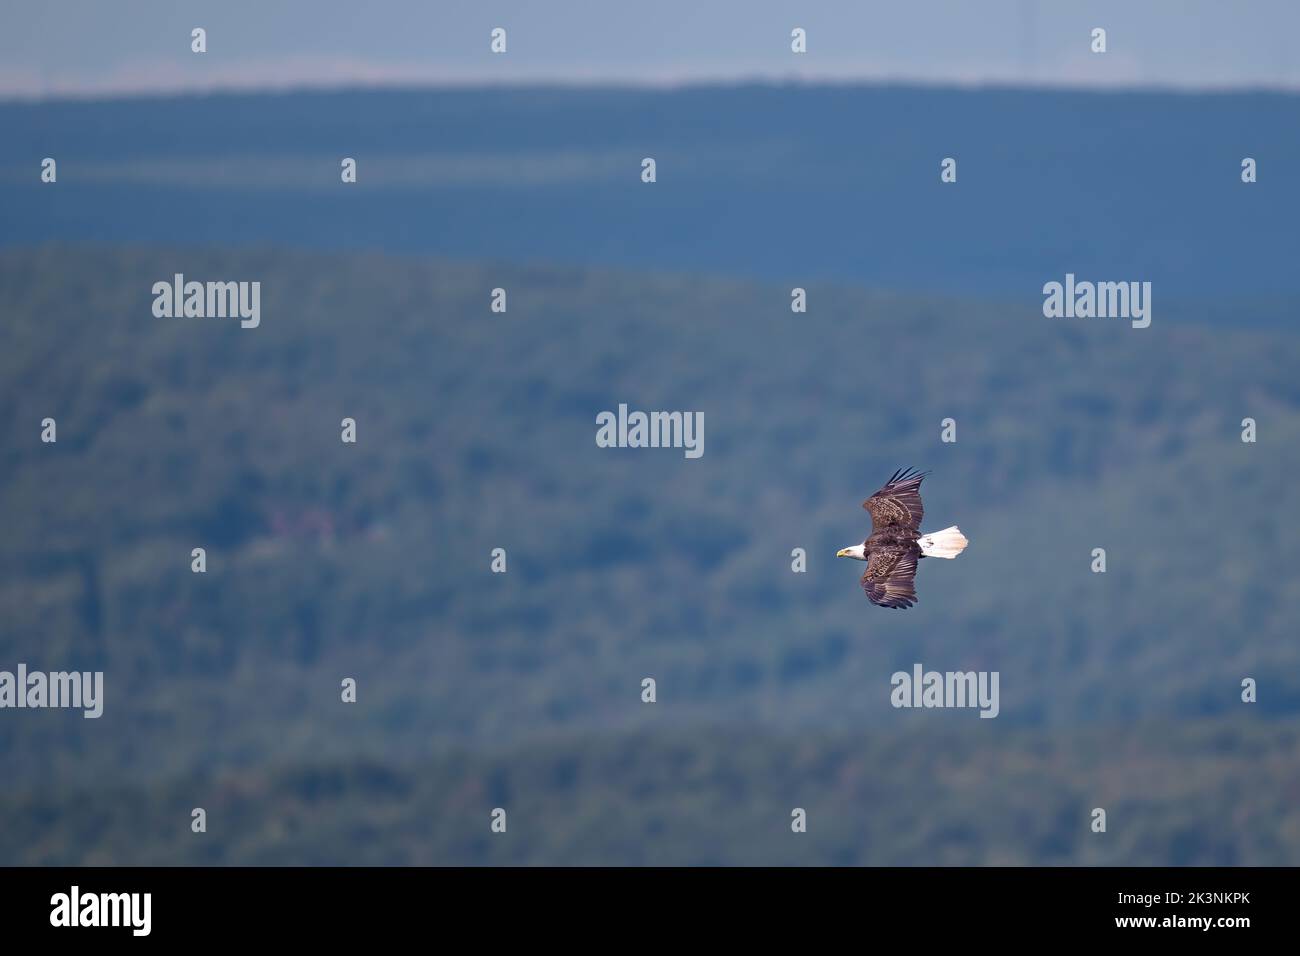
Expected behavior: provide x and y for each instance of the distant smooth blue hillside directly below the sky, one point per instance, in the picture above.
(792, 181)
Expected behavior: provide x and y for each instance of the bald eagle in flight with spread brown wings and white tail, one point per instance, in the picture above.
(896, 543)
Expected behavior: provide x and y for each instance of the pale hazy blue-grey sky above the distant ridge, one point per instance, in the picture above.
(50, 47)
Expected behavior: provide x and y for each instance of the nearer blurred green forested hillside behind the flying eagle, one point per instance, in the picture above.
(476, 431)
